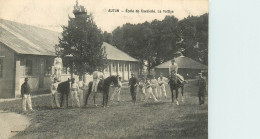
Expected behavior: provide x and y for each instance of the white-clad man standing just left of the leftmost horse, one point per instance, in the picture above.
(54, 94)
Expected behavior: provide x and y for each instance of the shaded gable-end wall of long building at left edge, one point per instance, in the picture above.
(7, 81)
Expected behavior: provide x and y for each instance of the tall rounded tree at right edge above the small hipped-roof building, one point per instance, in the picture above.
(193, 31)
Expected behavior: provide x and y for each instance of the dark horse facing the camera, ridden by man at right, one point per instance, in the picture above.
(175, 86)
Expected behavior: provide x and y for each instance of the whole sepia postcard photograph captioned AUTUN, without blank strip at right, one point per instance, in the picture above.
(104, 69)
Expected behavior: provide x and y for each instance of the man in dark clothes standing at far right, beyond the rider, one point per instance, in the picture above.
(202, 88)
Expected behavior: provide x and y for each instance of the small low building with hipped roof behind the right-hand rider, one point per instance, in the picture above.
(188, 67)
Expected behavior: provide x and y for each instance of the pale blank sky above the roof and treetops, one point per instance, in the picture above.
(52, 14)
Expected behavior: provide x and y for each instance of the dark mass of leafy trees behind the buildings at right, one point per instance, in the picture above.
(156, 42)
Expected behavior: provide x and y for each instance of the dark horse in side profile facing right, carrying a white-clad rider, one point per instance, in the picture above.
(103, 87)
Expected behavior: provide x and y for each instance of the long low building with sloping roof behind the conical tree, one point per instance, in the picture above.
(28, 51)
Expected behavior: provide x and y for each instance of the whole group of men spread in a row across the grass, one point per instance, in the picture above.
(148, 88)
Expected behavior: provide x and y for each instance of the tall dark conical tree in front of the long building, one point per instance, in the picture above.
(82, 40)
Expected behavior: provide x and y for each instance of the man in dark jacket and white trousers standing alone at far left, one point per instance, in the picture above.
(26, 95)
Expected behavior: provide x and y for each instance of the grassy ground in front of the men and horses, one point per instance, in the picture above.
(161, 119)
